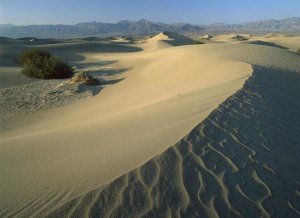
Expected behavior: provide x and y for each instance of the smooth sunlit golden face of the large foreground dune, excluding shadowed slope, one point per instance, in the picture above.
(50, 157)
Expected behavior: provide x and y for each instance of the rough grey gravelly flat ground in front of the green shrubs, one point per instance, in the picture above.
(18, 101)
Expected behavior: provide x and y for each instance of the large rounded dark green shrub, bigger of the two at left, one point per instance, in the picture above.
(41, 64)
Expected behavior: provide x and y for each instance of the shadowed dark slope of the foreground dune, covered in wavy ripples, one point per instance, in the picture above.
(241, 161)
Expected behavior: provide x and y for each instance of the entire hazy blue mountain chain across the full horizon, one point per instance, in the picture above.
(142, 27)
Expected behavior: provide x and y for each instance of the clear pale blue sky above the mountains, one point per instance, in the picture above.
(25, 12)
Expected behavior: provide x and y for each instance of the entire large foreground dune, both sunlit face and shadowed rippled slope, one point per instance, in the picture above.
(181, 134)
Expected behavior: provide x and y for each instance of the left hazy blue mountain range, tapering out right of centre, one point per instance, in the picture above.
(142, 27)
